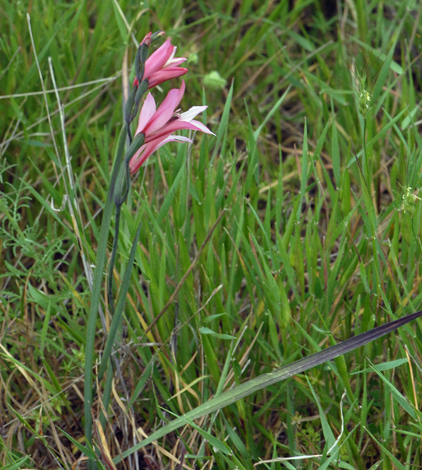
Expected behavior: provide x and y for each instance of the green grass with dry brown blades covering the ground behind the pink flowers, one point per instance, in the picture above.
(298, 226)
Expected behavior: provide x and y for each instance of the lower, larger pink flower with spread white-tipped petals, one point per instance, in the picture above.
(159, 124)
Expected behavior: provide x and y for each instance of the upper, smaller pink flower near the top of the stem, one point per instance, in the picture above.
(162, 65)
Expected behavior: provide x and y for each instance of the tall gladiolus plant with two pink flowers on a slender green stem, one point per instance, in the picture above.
(156, 127)
